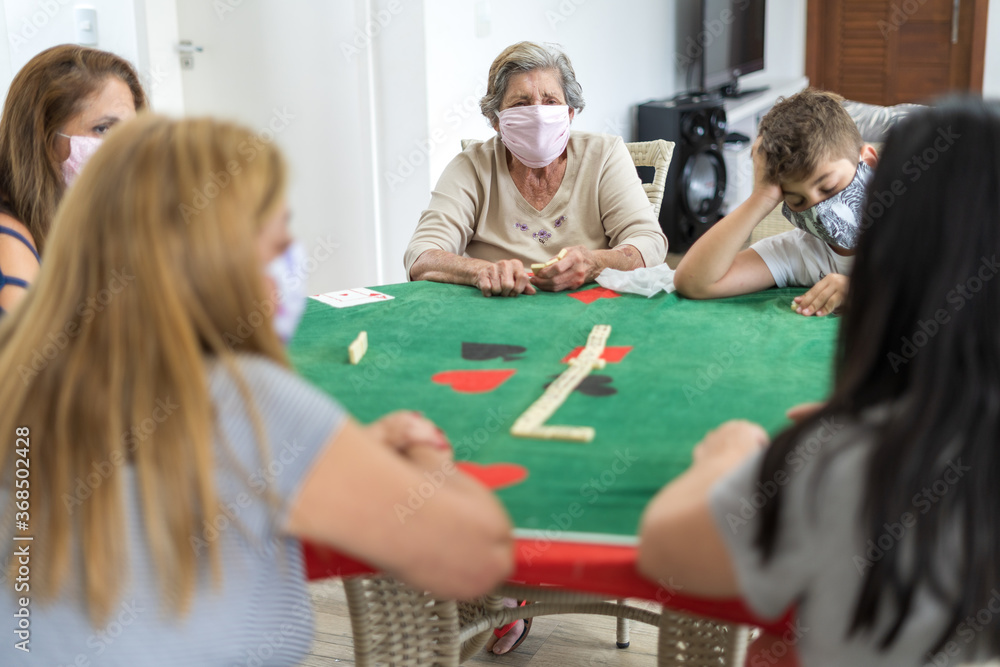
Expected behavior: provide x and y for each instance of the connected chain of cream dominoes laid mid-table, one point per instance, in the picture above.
(531, 424)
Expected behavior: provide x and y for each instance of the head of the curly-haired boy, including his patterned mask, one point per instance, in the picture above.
(812, 150)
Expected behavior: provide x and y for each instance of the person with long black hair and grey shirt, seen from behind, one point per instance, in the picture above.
(876, 515)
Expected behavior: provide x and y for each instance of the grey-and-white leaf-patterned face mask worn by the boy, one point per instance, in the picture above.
(837, 220)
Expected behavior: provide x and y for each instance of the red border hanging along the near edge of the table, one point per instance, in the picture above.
(589, 568)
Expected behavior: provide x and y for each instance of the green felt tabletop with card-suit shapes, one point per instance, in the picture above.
(693, 365)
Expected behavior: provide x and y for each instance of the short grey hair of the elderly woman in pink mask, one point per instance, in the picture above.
(525, 57)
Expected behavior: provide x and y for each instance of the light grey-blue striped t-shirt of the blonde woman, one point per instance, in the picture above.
(260, 614)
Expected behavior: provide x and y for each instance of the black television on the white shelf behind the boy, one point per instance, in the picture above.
(734, 41)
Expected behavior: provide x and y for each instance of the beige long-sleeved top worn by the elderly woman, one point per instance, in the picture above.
(477, 211)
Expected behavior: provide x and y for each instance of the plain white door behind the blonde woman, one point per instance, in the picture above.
(275, 68)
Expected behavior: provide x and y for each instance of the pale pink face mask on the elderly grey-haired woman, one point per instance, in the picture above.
(536, 135)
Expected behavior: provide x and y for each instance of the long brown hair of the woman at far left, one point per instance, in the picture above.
(46, 93)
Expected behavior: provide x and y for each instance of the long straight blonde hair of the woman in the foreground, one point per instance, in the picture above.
(152, 269)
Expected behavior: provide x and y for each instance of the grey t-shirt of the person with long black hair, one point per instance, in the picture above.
(822, 552)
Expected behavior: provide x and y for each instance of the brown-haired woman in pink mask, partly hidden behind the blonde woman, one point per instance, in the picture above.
(57, 111)
